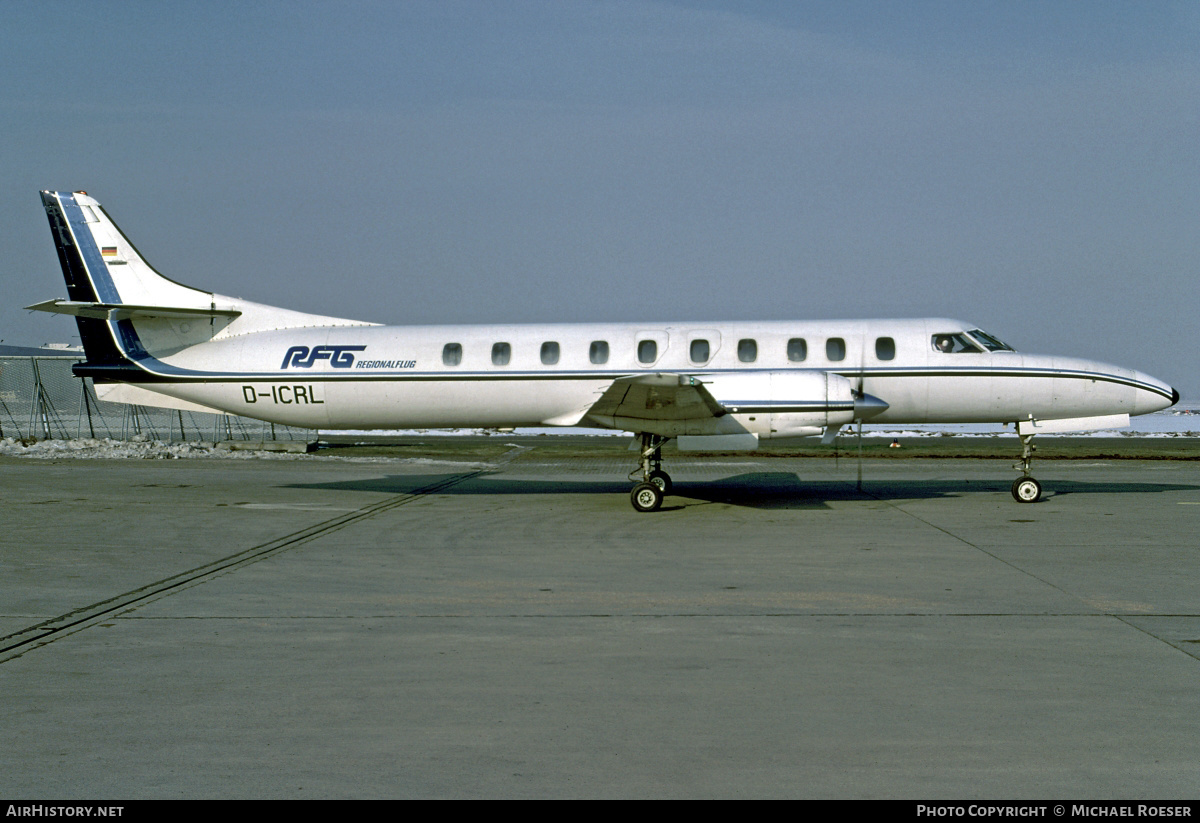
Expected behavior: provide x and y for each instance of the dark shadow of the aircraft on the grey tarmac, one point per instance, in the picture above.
(757, 490)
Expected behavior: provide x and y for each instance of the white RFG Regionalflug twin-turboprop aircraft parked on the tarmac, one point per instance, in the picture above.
(712, 386)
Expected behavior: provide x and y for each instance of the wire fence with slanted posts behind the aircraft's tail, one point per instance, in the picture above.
(41, 400)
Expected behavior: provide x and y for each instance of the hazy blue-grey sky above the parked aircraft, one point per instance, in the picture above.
(1029, 167)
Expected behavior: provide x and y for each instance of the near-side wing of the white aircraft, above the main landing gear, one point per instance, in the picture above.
(657, 398)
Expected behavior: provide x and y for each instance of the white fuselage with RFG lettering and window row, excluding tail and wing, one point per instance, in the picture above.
(387, 377)
